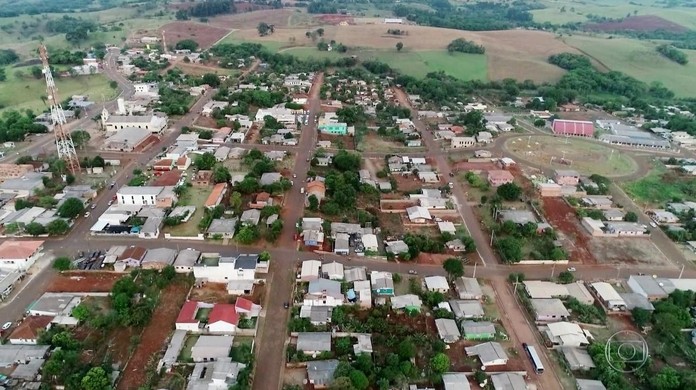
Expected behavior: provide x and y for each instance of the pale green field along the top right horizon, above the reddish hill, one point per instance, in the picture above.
(577, 11)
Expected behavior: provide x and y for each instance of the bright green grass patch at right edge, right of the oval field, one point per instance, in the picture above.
(661, 186)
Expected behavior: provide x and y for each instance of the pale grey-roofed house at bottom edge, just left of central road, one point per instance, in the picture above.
(218, 375)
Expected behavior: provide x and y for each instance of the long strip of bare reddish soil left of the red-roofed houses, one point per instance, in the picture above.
(154, 336)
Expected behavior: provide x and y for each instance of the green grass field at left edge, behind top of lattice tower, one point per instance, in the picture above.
(19, 94)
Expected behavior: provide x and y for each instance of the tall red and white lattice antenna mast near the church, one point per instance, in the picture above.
(64, 144)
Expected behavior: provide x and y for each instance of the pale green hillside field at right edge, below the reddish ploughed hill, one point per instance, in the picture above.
(640, 60)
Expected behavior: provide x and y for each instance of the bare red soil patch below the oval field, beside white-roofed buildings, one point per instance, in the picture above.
(562, 217)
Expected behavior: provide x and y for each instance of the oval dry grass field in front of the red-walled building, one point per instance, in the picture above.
(585, 156)
